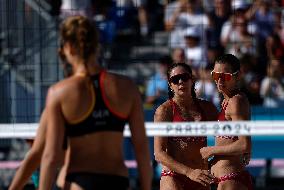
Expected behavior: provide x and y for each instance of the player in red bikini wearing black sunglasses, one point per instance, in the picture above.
(182, 164)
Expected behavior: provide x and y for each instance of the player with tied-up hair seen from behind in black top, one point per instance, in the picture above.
(97, 114)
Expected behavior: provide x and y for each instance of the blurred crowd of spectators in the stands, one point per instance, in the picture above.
(198, 32)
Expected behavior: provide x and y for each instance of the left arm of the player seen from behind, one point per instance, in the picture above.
(54, 140)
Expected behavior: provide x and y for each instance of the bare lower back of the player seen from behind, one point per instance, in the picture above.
(107, 155)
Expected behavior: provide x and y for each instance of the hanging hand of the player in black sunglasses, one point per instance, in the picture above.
(201, 176)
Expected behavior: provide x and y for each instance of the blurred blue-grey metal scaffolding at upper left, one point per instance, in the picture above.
(29, 62)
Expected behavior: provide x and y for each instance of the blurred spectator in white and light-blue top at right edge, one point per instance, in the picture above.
(271, 88)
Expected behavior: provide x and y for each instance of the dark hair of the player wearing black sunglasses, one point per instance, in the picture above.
(188, 69)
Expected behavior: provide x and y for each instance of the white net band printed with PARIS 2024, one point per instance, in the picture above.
(236, 128)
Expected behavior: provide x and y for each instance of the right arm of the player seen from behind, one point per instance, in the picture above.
(139, 140)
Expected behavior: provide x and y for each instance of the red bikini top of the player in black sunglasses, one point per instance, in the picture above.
(178, 118)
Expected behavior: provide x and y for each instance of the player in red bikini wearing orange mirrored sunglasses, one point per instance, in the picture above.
(230, 153)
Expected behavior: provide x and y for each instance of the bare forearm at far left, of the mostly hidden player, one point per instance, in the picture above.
(32, 160)
